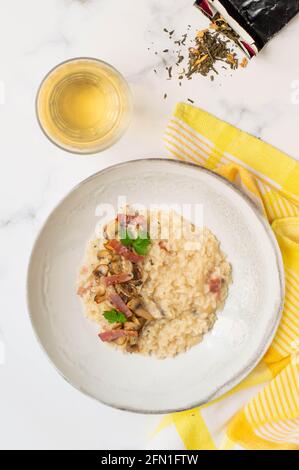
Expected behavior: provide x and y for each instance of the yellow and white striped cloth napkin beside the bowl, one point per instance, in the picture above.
(263, 411)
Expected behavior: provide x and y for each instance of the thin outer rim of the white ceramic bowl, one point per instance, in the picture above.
(272, 325)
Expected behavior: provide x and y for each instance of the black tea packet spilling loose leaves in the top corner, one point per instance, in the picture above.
(255, 21)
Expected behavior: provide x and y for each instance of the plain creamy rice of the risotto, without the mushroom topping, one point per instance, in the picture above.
(185, 282)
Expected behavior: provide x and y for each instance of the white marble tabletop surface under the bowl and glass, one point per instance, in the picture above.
(37, 408)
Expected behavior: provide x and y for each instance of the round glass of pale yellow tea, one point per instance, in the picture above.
(84, 105)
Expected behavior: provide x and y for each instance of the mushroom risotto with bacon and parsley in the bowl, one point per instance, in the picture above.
(154, 283)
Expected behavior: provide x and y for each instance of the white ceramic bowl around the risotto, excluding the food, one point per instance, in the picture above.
(242, 333)
